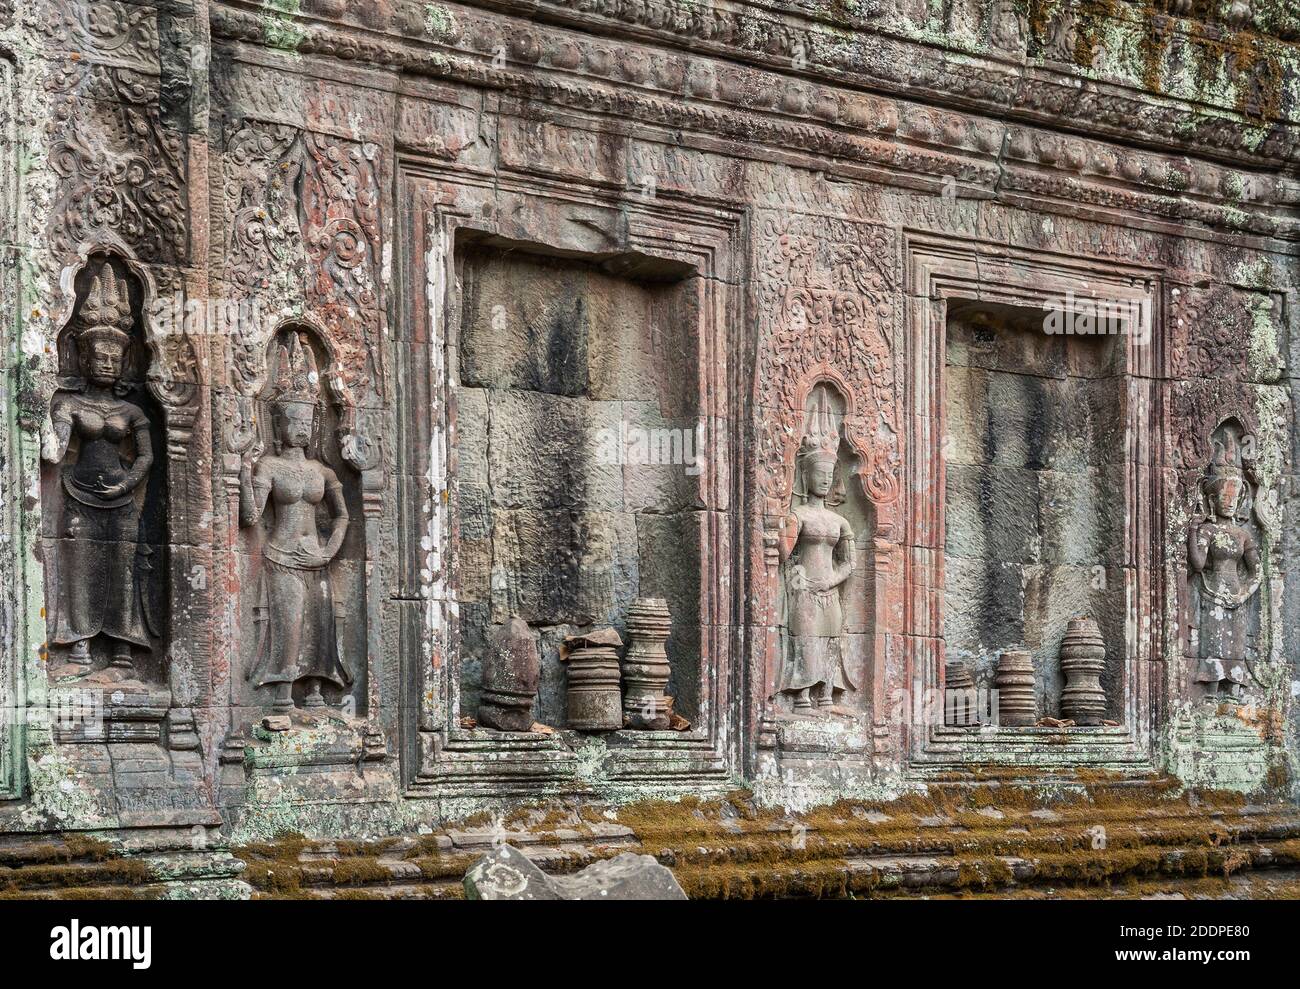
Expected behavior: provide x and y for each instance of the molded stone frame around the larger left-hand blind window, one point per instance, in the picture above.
(582, 219)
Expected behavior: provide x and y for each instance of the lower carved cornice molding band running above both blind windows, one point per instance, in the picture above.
(961, 153)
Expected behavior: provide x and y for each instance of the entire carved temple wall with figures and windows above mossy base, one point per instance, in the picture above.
(876, 340)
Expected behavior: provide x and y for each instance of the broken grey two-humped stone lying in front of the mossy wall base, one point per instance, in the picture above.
(508, 874)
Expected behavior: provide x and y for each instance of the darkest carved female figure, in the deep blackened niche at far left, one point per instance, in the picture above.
(99, 585)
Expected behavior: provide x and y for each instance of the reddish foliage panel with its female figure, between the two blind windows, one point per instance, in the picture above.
(829, 462)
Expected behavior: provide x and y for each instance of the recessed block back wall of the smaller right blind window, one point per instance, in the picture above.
(1034, 494)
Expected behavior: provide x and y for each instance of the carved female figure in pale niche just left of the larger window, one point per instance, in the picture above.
(296, 604)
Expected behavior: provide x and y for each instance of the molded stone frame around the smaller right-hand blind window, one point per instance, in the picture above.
(944, 270)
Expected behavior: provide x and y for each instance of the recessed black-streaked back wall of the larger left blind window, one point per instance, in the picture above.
(579, 453)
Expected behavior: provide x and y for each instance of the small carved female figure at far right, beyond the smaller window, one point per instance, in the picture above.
(1225, 557)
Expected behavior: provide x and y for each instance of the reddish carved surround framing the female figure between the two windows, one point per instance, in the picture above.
(851, 342)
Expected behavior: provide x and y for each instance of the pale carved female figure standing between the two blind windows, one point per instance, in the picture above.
(817, 546)
